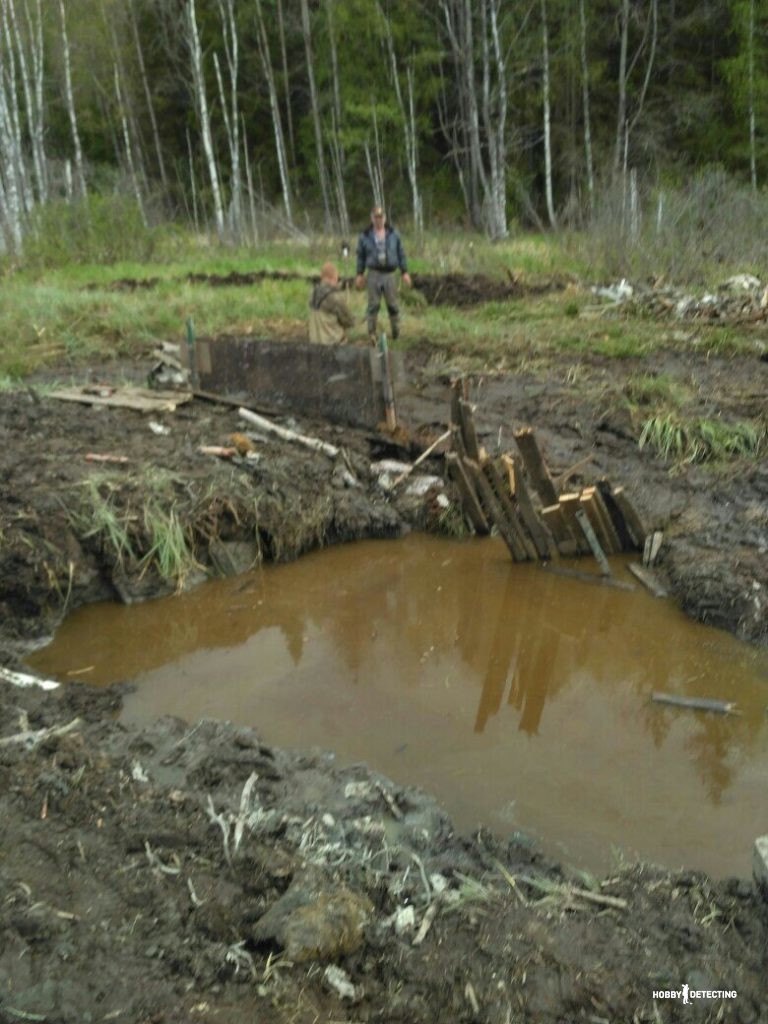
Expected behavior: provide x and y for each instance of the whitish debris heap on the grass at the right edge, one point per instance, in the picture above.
(742, 300)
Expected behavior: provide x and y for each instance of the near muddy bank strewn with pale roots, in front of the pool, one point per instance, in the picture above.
(193, 873)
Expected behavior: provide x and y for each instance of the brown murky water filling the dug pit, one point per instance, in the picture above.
(519, 698)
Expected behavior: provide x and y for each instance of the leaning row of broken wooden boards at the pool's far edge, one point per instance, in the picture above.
(520, 497)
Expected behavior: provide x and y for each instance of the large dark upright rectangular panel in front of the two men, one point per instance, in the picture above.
(339, 383)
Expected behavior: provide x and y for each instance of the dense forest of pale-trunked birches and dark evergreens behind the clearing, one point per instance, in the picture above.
(247, 118)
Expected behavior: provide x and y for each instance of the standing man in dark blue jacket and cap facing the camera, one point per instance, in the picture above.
(380, 252)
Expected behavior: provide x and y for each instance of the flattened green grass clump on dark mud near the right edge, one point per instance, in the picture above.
(701, 440)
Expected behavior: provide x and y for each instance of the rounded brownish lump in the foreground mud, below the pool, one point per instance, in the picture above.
(316, 919)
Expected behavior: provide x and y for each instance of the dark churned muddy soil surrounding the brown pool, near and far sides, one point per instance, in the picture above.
(117, 899)
